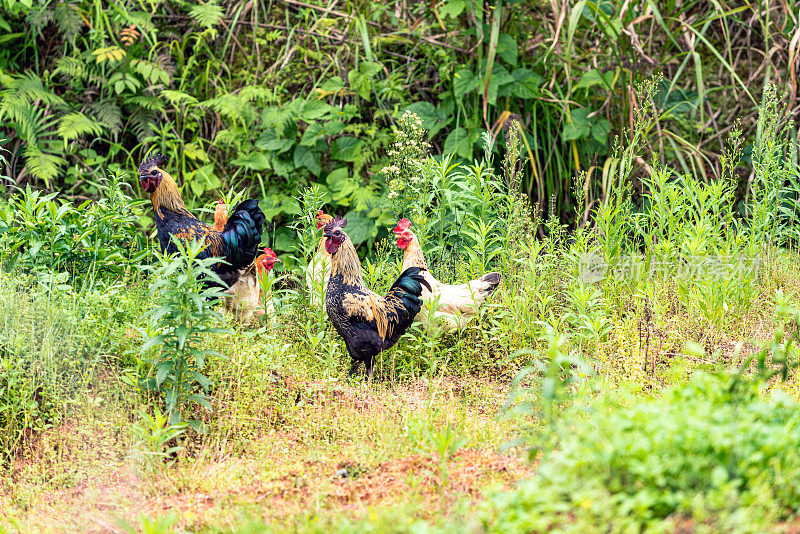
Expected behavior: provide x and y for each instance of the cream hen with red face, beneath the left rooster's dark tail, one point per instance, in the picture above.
(245, 296)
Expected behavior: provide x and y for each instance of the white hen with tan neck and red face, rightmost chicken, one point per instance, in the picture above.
(457, 304)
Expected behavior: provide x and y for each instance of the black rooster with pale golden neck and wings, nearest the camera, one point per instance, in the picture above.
(368, 322)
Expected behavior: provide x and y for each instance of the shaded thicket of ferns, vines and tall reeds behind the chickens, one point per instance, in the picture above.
(274, 96)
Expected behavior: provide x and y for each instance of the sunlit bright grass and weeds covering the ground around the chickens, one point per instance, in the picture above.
(610, 383)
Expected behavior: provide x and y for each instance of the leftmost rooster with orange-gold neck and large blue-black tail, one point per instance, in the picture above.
(237, 242)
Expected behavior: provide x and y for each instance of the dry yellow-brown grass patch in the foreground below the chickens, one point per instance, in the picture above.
(347, 447)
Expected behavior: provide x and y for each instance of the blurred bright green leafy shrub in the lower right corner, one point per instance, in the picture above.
(699, 453)
